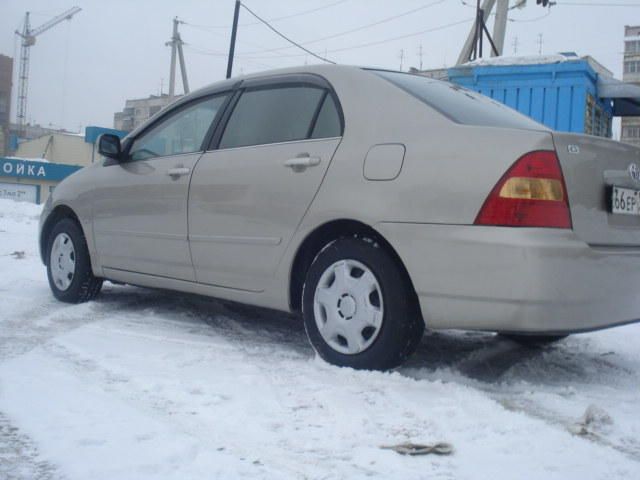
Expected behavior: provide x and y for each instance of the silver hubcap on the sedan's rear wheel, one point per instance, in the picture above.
(348, 307)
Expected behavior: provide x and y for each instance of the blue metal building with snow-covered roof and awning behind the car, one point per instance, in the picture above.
(564, 92)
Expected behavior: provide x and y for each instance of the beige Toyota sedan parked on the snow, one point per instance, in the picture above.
(373, 202)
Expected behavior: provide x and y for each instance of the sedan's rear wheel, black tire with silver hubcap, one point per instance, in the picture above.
(336, 307)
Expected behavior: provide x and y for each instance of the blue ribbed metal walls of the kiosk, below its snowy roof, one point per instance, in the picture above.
(562, 95)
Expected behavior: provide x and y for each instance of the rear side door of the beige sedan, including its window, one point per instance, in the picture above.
(249, 193)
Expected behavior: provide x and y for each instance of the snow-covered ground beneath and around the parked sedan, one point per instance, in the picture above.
(142, 384)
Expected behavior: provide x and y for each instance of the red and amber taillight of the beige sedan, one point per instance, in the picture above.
(531, 194)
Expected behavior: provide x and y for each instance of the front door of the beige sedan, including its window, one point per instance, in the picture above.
(140, 203)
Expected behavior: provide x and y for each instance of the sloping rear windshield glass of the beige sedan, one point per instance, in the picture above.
(459, 104)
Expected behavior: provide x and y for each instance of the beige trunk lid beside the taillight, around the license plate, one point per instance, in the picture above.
(591, 166)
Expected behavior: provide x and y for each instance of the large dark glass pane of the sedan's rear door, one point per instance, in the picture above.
(272, 115)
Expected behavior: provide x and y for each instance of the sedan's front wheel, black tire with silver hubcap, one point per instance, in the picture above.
(69, 265)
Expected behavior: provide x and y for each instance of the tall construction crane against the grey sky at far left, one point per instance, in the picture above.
(28, 36)
